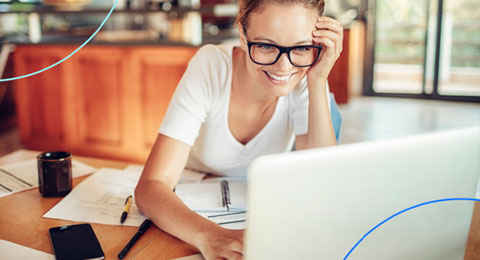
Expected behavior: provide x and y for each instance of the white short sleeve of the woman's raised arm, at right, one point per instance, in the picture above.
(299, 109)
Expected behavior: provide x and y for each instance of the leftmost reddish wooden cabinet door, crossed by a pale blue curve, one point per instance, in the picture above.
(42, 108)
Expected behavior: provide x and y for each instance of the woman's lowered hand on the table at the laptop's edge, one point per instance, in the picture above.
(222, 243)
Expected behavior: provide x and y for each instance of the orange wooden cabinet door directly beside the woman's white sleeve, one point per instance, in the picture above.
(156, 72)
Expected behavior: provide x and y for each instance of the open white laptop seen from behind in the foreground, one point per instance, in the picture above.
(318, 204)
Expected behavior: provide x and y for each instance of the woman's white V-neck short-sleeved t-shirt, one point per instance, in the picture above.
(198, 115)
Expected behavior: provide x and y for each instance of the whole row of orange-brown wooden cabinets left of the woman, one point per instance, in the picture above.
(105, 101)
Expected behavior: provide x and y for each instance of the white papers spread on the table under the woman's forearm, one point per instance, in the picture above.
(101, 198)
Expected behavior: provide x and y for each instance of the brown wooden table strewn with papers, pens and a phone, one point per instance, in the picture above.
(21, 223)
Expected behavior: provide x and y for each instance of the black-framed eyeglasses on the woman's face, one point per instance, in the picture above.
(267, 53)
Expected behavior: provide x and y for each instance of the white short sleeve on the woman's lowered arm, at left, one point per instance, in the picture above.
(192, 99)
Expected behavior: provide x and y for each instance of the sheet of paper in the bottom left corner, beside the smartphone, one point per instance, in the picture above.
(12, 251)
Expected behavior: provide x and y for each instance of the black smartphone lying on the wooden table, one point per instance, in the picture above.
(75, 242)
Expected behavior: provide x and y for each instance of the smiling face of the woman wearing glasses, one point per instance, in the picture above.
(284, 25)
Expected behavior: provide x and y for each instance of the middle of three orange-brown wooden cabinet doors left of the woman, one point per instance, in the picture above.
(100, 102)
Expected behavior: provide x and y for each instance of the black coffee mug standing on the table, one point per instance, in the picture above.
(54, 173)
